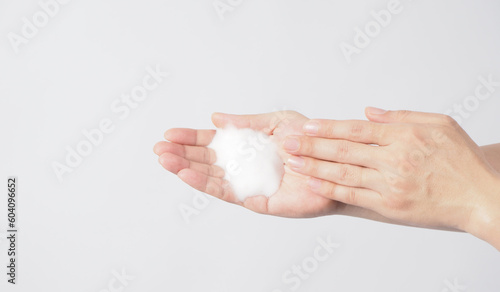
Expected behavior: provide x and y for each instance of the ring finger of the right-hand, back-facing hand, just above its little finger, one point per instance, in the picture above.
(344, 174)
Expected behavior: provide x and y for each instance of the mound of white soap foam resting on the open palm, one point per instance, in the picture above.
(250, 161)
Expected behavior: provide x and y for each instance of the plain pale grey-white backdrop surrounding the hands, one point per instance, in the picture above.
(118, 211)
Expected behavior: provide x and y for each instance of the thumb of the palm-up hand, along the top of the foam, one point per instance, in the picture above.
(261, 122)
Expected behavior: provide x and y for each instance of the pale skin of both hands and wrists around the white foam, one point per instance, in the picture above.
(410, 168)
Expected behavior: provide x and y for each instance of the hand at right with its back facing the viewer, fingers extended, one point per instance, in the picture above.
(416, 168)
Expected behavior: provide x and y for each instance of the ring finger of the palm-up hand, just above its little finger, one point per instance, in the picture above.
(174, 164)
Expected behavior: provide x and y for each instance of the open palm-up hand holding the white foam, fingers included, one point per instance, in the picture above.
(187, 156)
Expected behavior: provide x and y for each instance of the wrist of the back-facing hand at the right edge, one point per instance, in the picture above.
(484, 221)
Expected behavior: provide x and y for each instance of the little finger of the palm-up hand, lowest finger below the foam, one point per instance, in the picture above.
(214, 186)
